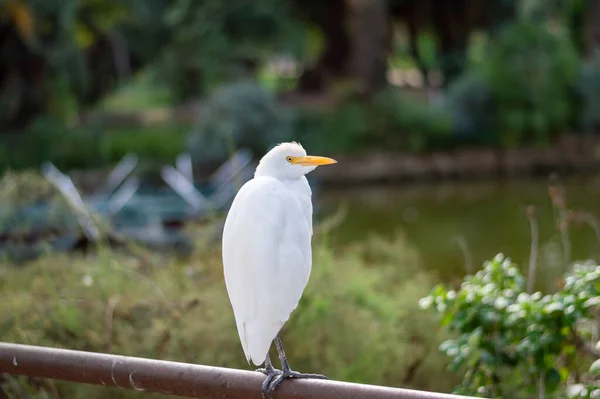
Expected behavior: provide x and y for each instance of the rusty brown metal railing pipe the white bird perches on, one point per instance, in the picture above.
(180, 379)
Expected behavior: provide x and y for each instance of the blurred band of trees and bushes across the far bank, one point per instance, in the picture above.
(405, 75)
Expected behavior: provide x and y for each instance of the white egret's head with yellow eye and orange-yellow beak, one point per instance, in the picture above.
(289, 161)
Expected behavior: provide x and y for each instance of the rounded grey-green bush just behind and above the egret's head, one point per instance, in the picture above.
(242, 114)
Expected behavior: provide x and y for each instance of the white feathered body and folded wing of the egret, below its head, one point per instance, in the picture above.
(267, 261)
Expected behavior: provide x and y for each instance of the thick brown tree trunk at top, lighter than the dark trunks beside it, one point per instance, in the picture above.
(368, 29)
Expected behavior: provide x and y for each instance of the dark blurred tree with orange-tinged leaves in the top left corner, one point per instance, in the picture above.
(59, 56)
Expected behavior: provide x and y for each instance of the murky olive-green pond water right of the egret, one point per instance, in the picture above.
(456, 226)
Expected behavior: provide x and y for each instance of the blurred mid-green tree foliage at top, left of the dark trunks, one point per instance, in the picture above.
(214, 41)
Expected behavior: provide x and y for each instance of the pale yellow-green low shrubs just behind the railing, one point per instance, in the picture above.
(357, 320)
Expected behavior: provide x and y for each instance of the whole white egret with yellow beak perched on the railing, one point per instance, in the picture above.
(267, 254)
